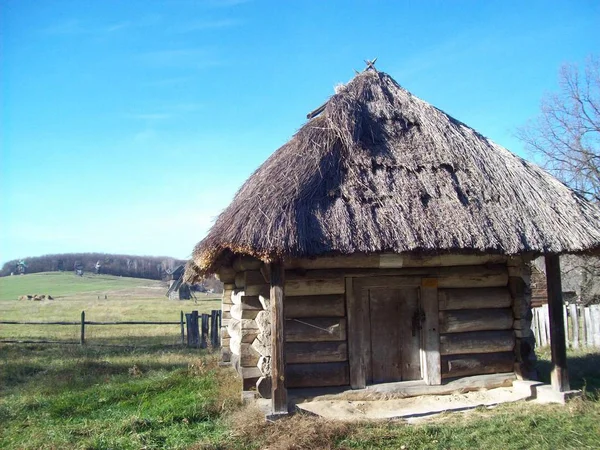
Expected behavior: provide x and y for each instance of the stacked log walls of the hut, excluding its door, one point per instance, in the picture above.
(484, 308)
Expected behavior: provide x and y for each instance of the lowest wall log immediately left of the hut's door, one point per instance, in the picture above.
(317, 375)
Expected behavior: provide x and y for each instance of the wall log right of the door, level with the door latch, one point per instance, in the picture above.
(460, 321)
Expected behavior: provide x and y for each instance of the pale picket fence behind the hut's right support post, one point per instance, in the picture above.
(582, 326)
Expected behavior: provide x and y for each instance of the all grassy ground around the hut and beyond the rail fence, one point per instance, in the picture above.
(68, 396)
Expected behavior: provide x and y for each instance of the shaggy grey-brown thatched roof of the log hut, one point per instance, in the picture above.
(380, 170)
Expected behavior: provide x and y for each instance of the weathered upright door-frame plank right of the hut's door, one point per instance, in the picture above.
(432, 373)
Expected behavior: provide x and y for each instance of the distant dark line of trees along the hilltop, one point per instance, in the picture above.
(150, 267)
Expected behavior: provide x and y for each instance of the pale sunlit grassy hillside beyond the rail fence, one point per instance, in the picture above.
(103, 298)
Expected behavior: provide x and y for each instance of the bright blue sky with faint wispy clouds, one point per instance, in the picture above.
(126, 127)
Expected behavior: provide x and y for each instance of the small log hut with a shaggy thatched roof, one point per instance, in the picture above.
(388, 242)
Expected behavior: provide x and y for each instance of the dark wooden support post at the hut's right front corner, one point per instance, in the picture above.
(560, 376)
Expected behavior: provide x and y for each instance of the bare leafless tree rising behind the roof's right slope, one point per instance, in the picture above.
(565, 137)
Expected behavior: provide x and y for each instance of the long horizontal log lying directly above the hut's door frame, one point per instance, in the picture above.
(448, 277)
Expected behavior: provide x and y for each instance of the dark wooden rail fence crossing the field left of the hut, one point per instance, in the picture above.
(199, 332)
